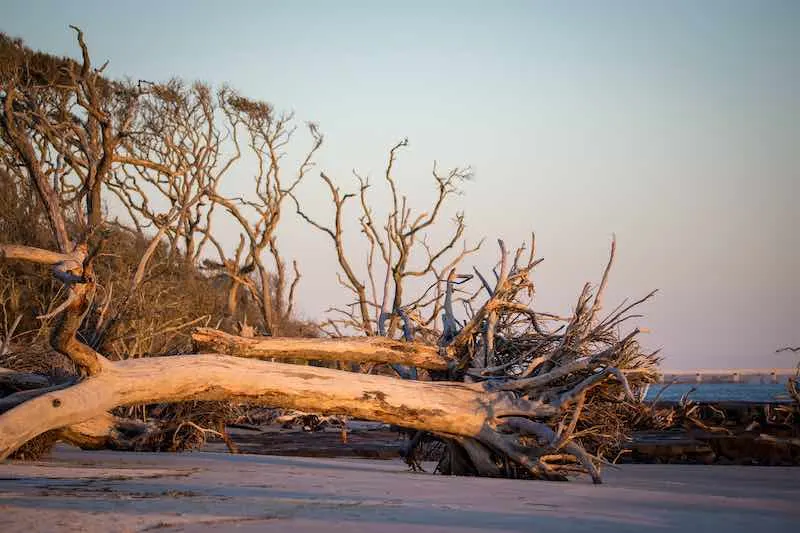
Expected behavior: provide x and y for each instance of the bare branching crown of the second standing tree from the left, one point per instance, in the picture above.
(184, 135)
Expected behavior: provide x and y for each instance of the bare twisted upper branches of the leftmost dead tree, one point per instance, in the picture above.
(64, 124)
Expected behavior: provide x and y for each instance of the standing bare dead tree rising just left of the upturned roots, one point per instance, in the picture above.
(378, 309)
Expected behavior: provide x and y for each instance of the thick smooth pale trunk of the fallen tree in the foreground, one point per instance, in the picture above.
(447, 408)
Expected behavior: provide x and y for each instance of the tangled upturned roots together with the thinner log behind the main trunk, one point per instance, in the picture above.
(563, 391)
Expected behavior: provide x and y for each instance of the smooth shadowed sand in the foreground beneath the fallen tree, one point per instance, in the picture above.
(111, 491)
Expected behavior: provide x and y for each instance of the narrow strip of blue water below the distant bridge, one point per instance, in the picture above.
(716, 392)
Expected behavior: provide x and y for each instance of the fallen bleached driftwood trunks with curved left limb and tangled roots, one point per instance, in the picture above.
(513, 406)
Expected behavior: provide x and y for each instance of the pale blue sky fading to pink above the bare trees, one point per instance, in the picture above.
(673, 125)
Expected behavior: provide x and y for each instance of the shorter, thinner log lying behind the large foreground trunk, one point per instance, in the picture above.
(349, 349)
